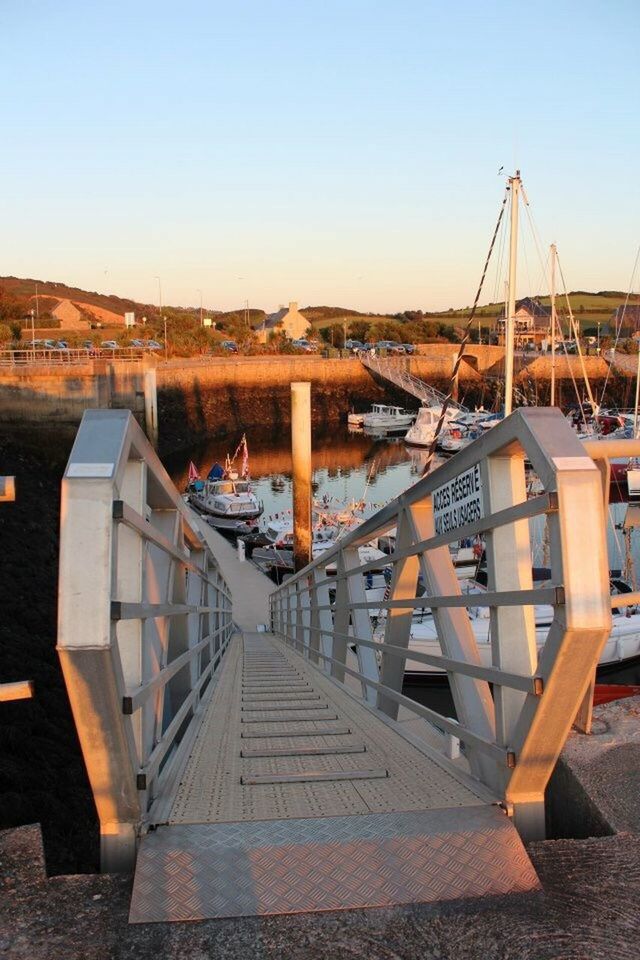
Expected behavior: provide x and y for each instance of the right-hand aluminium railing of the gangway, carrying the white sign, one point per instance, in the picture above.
(514, 735)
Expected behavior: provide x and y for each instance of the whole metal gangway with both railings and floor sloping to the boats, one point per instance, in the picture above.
(244, 767)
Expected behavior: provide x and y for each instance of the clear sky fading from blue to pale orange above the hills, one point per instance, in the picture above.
(343, 152)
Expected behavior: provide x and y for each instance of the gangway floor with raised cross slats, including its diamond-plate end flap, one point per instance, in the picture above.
(296, 797)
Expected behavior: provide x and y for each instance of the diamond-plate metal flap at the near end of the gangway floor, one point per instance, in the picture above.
(209, 871)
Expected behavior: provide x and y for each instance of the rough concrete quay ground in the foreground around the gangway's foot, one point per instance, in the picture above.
(589, 907)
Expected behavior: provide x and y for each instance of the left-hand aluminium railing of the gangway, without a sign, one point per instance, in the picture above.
(144, 621)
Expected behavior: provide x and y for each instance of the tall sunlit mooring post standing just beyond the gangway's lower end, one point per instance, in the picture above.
(301, 455)
